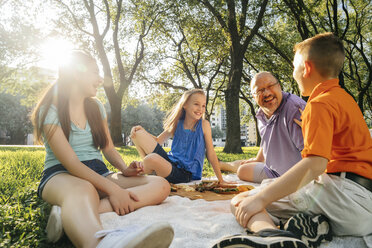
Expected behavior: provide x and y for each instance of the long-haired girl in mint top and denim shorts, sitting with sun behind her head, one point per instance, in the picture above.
(73, 125)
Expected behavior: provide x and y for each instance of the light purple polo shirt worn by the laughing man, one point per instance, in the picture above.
(281, 137)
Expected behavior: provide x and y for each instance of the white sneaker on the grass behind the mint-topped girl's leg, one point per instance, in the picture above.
(54, 227)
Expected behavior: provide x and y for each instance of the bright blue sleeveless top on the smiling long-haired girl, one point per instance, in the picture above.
(188, 149)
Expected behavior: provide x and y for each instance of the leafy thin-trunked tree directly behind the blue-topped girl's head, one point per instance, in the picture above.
(188, 54)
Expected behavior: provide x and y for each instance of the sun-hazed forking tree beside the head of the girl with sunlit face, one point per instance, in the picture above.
(128, 19)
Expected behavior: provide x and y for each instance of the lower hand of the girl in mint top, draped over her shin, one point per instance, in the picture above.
(122, 200)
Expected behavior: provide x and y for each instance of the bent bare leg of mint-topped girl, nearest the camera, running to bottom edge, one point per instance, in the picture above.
(79, 202)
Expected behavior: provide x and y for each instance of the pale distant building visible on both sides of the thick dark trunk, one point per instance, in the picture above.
(247, 130)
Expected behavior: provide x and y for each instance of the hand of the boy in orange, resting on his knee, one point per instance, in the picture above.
(247, 208)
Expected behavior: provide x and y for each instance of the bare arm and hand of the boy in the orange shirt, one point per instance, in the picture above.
(299, 175)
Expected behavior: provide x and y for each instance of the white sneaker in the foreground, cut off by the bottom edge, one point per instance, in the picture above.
(158, 235)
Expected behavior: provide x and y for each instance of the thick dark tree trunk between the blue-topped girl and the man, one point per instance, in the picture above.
(233, 142)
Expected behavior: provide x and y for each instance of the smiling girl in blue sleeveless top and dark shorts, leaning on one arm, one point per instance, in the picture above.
(192, 136)
